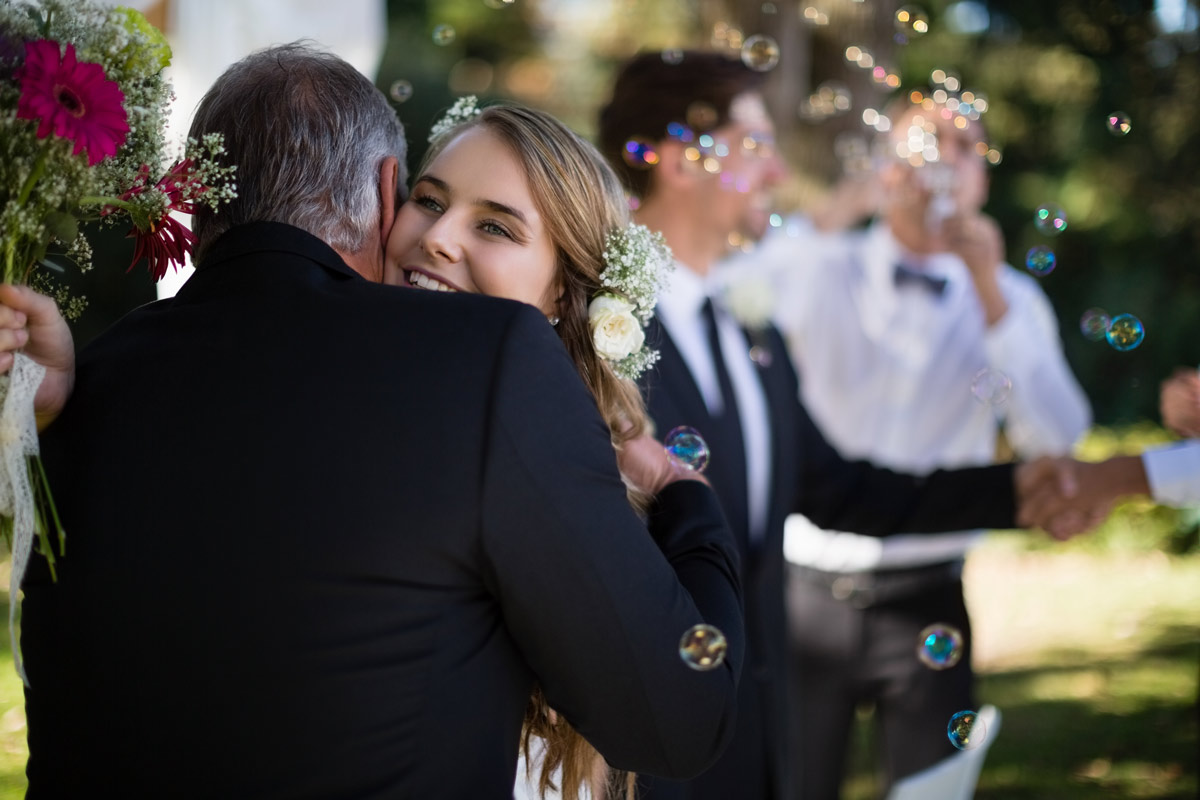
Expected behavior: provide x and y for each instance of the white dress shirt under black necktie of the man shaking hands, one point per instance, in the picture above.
(679, 311)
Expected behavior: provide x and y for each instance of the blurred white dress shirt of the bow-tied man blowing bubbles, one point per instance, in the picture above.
(887, 372)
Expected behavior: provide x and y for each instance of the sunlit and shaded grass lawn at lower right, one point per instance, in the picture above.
(1094, 661)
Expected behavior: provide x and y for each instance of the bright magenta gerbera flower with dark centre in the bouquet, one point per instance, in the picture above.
(74, 100)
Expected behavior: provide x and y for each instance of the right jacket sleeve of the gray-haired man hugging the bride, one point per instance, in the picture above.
(596, 599)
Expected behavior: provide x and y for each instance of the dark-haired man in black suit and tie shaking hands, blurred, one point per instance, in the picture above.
(704, 116)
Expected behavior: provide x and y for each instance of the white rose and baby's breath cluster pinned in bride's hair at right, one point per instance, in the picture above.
(637, 264)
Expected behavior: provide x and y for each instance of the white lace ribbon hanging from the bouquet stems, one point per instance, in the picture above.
(19, 441)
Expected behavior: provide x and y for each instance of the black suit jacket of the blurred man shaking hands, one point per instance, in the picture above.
(808, 477)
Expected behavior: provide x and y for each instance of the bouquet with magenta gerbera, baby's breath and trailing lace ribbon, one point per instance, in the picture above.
(83, 110)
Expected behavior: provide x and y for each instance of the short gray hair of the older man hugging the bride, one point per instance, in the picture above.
(309, 135)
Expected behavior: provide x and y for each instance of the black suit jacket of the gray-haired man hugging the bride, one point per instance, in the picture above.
(326, 534)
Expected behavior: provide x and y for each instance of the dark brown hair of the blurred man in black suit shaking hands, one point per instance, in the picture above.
(652, 92)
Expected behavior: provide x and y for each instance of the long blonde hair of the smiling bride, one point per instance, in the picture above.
(581, 202)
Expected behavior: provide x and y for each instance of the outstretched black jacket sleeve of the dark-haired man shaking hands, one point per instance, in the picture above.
(862, 498)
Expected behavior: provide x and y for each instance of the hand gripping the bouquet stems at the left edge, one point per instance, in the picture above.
(32, 323)
